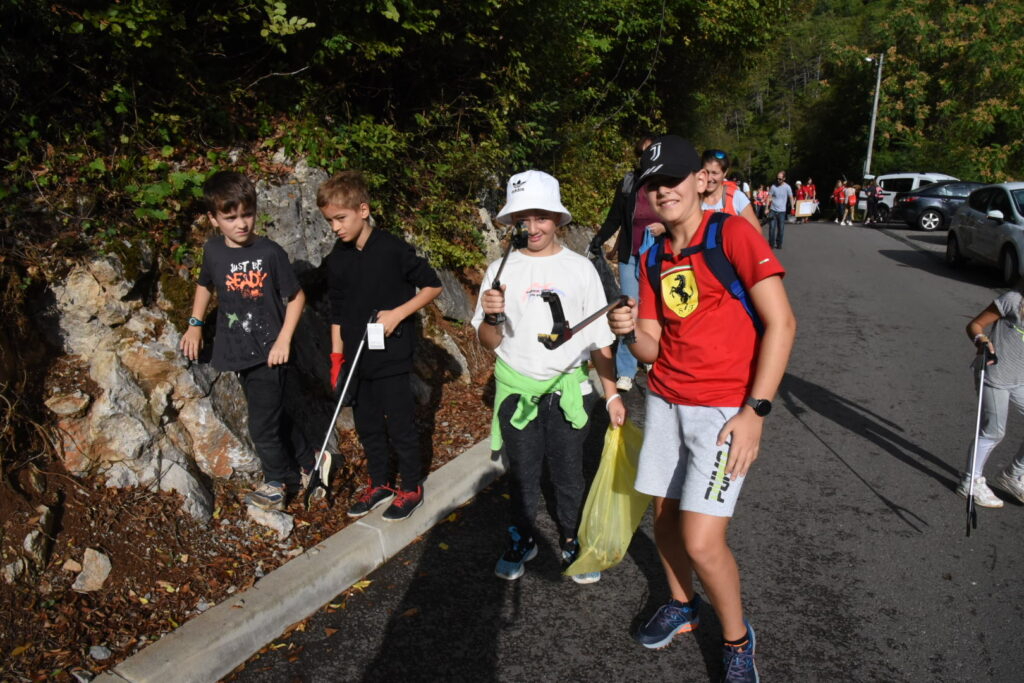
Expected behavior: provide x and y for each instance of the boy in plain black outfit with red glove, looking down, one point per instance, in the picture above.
(373, 271)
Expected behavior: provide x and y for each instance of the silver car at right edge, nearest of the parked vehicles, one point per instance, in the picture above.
(990, 228)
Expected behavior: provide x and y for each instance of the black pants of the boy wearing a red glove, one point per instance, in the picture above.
(385, 412)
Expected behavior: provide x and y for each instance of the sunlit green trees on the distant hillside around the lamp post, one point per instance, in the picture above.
(950, 100)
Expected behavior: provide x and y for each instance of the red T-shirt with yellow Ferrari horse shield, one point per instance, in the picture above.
(709, 346)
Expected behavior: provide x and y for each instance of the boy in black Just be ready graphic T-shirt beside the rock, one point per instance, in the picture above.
(253, 279)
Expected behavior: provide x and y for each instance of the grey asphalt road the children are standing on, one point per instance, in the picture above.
(850, 539)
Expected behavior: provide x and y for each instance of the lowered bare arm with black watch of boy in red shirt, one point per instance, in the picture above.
(773, 306)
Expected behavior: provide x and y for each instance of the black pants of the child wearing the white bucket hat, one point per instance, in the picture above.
(549, 438)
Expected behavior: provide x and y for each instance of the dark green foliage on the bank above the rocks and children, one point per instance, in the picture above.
(437, 102)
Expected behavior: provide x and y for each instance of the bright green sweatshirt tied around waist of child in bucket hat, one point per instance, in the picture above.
(508, 382)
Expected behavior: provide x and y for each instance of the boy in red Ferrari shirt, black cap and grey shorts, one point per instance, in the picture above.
(710, 390)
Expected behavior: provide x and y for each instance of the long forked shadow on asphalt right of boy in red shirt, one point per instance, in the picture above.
(796, 394)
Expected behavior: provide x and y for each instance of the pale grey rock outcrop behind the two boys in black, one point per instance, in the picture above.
(151, 418)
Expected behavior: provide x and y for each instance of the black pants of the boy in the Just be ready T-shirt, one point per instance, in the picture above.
(275, 424)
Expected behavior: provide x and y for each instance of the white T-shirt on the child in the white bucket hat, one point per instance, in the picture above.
(579, 288)
